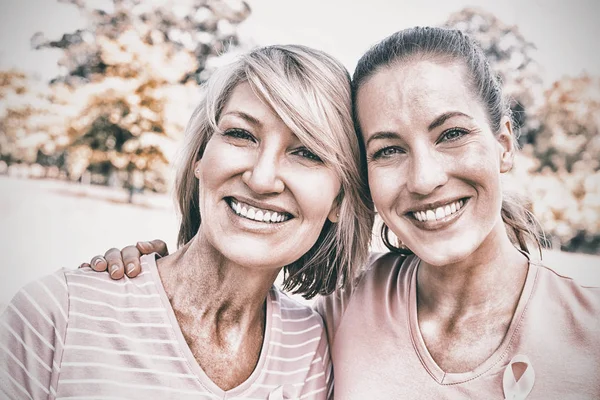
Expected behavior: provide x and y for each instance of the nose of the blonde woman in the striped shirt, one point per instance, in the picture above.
(263, 176)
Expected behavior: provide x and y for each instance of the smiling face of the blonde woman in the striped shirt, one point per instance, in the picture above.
(264, 197)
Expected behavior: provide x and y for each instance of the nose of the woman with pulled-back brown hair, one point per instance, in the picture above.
(427, 172)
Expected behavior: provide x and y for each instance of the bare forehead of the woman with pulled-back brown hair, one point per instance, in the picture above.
(413, 94)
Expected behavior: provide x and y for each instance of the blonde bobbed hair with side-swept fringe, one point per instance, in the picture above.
(310, 91)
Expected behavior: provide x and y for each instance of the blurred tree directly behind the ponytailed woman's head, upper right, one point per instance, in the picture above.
(511, 57)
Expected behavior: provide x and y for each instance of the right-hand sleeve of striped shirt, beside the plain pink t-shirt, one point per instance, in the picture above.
(318, 384)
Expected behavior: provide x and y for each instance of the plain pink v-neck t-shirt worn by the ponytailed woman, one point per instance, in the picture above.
(378, 351)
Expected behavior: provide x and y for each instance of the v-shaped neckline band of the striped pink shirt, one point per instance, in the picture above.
(272, 307)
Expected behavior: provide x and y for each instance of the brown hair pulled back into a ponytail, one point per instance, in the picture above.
(448, 45)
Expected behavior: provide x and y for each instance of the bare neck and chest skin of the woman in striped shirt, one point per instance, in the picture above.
(220, 308)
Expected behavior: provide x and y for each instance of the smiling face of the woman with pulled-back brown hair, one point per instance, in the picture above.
(434, 164)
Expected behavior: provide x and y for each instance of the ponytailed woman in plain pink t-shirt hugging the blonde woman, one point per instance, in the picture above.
(457, 308)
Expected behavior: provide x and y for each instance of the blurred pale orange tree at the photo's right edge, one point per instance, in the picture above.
(566, 179)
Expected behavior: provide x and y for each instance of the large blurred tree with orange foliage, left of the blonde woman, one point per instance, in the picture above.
(131, 79)
